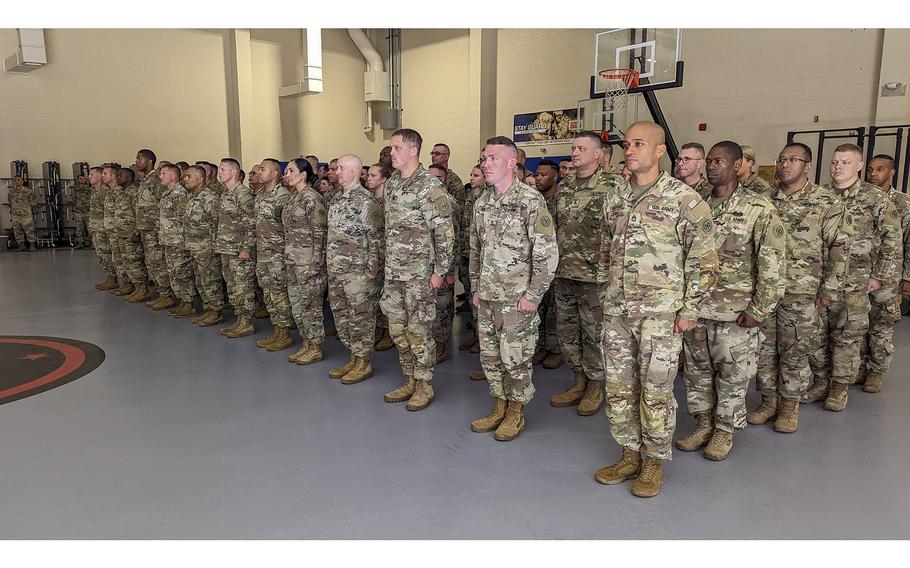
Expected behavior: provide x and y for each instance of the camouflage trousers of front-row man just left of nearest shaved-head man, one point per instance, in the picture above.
(507, 342)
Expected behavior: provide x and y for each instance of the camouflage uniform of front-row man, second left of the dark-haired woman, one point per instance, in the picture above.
(236, 234)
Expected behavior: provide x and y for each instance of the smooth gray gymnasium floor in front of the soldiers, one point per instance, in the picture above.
(184, 434)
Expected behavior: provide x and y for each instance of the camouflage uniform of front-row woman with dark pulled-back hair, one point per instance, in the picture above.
(305, 225)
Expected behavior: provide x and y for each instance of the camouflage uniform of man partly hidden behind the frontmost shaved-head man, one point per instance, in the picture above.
(579, 314)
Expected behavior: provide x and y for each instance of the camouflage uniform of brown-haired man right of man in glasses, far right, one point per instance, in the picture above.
(875, 249)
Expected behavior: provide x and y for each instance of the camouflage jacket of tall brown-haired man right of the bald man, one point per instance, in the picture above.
(420, 235)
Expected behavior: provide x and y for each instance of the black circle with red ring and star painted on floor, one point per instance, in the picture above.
(31, 364)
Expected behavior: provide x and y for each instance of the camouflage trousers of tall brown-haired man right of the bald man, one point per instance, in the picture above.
(411, 309)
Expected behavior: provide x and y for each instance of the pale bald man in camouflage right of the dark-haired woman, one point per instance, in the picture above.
(352, 254)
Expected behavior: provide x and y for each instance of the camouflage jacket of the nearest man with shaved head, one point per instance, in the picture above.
(657, 252)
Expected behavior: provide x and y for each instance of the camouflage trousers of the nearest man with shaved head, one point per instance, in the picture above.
(641, 357)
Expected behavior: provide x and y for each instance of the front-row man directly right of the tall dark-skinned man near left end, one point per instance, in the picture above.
(171, 211)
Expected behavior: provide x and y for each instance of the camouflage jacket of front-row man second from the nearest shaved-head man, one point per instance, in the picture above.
(513, 245)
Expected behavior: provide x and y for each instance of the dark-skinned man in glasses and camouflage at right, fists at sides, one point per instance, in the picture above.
(813, 219)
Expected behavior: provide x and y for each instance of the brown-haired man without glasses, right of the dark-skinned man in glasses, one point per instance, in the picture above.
(875, 250)
